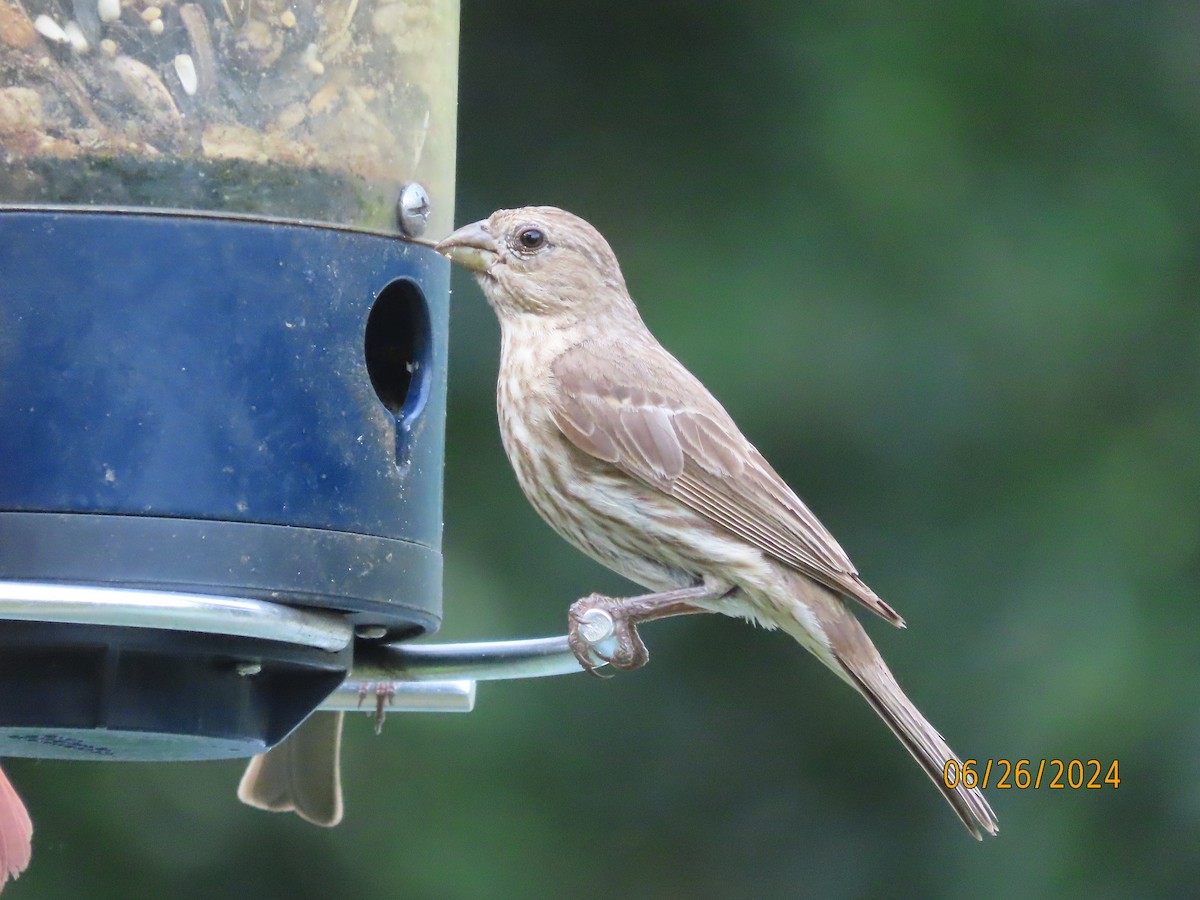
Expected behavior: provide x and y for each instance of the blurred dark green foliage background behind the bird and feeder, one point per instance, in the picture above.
(944, 272)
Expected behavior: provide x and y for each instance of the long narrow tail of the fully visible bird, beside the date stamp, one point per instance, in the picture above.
(855, 658)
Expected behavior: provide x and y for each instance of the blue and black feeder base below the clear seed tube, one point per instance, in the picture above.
(214, 406)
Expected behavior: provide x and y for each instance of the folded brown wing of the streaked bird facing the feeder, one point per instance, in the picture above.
(646, 415)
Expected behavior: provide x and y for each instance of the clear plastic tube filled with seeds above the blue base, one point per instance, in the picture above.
(304, 110)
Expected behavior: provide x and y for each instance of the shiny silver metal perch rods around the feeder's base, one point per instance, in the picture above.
(416, 677)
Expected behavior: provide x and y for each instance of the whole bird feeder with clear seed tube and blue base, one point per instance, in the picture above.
(223, 379)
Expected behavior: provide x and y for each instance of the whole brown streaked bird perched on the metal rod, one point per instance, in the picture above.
(631, 459)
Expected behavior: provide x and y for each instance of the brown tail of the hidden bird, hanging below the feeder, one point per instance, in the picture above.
(302, 773)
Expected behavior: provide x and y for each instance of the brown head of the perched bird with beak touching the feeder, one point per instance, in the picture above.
(539, 261)
